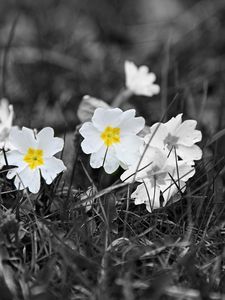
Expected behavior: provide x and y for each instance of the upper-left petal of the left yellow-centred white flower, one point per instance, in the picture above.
(22, 139)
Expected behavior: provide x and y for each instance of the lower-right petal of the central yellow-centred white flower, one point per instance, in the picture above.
(128, 150)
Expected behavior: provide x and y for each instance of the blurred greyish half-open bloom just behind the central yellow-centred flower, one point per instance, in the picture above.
(87, 107)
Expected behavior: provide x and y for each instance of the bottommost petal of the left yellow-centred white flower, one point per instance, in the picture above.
(28, 178)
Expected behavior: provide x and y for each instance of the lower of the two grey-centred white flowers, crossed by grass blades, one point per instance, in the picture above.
(158, 174)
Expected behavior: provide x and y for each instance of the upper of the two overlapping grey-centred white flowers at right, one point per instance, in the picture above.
(177, 136)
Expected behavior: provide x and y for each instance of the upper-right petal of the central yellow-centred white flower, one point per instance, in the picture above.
(130, 124)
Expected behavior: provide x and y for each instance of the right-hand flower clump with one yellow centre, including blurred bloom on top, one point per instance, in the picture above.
(161, 158)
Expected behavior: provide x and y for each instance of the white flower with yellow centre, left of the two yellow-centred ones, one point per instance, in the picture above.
(33, 157)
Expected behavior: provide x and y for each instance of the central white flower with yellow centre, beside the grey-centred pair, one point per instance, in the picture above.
(111, 138)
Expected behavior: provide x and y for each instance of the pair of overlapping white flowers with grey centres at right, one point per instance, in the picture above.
(166, 162)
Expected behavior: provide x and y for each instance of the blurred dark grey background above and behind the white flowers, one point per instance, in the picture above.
(53, 52)
